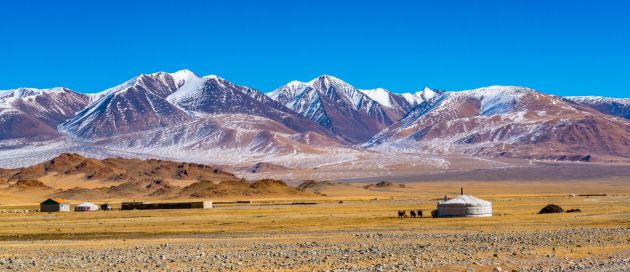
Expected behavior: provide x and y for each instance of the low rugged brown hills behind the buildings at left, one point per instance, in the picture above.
(118, 178)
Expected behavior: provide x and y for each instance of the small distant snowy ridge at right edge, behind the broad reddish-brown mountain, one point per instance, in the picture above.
(612, 106)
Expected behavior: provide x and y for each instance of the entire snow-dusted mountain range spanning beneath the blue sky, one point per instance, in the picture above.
(167, 113)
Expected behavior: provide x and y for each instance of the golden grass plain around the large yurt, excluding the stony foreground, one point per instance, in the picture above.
(361, 210)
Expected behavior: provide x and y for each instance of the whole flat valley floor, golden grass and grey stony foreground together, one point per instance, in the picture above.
(363, 233)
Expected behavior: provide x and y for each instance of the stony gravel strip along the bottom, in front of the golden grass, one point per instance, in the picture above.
(581, 249)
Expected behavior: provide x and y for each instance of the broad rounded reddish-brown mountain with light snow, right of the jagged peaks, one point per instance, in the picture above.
(506, 121)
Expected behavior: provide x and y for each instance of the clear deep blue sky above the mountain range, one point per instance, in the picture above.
(559, 47)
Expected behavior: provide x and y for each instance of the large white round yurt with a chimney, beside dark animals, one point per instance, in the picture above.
(464, 205)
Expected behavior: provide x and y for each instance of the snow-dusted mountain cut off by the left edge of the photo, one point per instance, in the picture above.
(36, 113)
